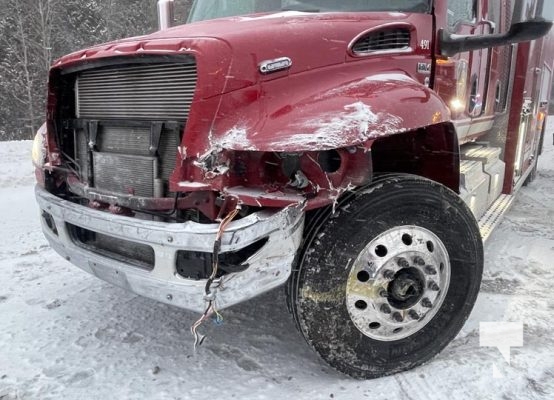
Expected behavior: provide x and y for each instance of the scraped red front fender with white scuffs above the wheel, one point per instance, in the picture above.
(302, 114)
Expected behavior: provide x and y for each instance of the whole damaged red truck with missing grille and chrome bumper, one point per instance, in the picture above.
(358, 152)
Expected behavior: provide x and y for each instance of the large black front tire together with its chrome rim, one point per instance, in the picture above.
(389, 279)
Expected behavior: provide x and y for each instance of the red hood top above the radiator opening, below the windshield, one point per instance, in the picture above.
(229, 50)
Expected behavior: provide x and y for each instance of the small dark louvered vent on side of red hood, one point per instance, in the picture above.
(382, 40)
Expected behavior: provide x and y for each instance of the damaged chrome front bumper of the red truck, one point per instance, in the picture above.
(268, 268)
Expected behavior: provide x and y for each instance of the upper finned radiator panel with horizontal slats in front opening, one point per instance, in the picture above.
(151, 92)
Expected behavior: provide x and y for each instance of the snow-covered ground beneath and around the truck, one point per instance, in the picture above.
(67, 335)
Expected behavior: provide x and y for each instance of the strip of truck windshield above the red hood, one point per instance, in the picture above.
(210, 9)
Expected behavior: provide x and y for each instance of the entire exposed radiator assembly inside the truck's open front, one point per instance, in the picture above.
(128, 125)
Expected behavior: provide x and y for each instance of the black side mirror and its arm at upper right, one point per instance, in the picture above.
(531, 20)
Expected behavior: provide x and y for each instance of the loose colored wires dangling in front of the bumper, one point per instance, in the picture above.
(209, 296)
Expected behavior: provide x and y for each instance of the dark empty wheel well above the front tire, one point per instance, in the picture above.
(432, 152)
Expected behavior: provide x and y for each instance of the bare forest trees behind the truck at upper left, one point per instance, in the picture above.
(34, 33)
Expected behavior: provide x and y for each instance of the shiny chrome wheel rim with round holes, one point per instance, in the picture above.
(398, 283)
